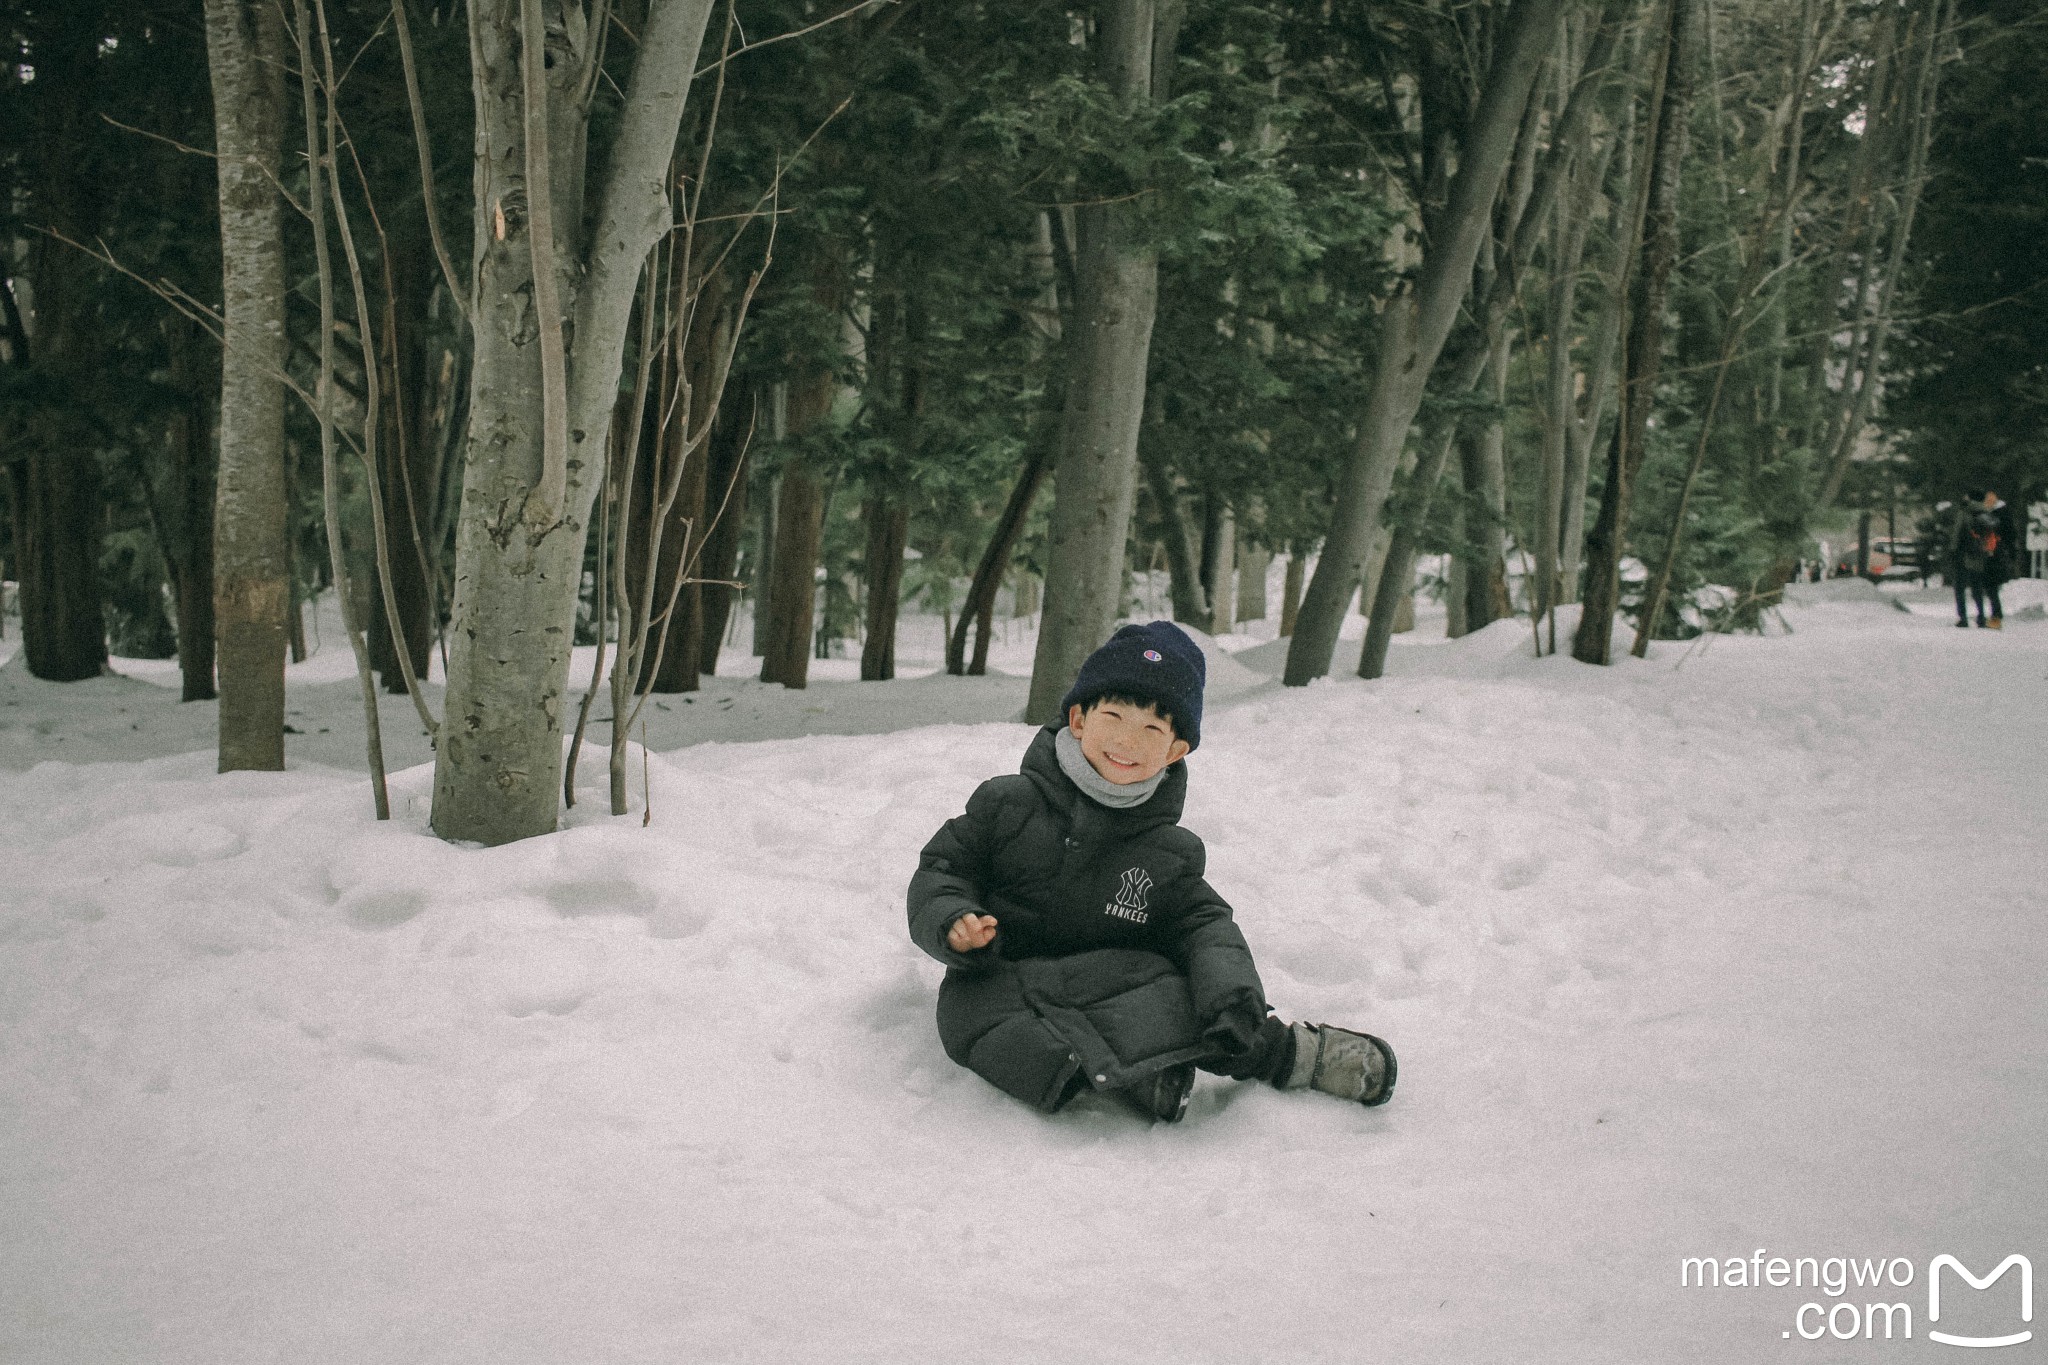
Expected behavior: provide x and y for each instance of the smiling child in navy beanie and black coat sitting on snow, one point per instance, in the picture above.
(1084, 946)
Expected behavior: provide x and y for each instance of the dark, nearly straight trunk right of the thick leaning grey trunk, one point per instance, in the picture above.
(1594, 644)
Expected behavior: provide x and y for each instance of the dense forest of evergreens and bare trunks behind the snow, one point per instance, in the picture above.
(552, 322)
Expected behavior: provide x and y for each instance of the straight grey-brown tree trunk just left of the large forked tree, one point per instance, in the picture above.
(251, 562)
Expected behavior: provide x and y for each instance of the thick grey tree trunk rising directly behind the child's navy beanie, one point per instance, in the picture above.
(1117, 294)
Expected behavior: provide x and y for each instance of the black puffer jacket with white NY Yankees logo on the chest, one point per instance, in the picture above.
(1113, 957)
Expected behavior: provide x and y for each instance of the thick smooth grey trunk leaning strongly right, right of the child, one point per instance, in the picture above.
(1414, 331)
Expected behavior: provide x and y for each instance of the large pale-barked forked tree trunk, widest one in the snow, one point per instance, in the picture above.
(517, 578)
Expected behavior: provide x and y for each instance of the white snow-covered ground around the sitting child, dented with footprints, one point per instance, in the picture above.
(1734, 949)
